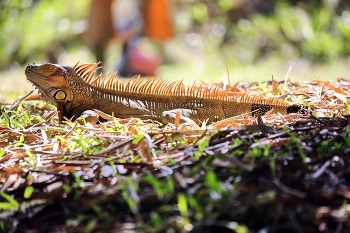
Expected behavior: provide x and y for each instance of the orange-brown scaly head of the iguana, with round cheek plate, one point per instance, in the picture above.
(51, 81)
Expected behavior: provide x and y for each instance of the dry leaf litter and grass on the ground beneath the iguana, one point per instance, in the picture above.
(272, 173)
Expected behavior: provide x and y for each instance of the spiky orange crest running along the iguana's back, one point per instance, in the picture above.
(154, 86)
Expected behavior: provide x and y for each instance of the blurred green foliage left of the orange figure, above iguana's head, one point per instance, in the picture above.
(35, 26)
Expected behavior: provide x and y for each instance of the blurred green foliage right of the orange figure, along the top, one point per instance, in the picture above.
(316, 31)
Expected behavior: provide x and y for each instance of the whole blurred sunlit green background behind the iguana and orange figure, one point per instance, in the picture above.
(251, 40)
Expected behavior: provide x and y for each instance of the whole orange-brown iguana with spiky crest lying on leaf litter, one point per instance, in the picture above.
(74, 91)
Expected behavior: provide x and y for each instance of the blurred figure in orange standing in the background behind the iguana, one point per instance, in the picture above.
(129, 21)
